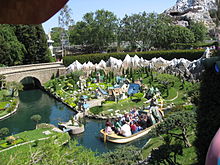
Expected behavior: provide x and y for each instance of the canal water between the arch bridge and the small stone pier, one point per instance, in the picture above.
(36, 102)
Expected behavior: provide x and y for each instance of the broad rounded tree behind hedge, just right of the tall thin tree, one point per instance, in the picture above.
(97, 30)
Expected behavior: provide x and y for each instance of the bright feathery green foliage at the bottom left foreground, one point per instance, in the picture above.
(51, 152)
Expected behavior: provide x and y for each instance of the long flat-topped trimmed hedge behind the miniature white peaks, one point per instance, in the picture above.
(168, 55)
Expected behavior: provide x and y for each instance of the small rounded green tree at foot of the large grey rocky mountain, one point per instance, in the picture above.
(199, 30)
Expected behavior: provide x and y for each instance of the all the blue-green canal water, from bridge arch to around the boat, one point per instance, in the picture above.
(37, 102)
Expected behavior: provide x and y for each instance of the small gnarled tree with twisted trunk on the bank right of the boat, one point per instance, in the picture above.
(182, 121)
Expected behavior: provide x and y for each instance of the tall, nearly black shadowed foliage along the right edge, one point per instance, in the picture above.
(208, 115)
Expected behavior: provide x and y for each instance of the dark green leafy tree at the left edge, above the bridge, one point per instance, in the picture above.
(11, 50)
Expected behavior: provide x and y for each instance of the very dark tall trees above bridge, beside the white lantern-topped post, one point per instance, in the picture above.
(34, 39)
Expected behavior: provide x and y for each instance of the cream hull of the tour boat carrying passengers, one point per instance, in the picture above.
(114, 138)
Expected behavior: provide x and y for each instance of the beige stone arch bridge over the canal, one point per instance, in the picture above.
(42, 72)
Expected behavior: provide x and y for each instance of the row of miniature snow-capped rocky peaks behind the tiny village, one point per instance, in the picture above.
(190, 70)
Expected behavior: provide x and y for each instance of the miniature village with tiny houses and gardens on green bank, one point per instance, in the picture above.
(105, 94)
